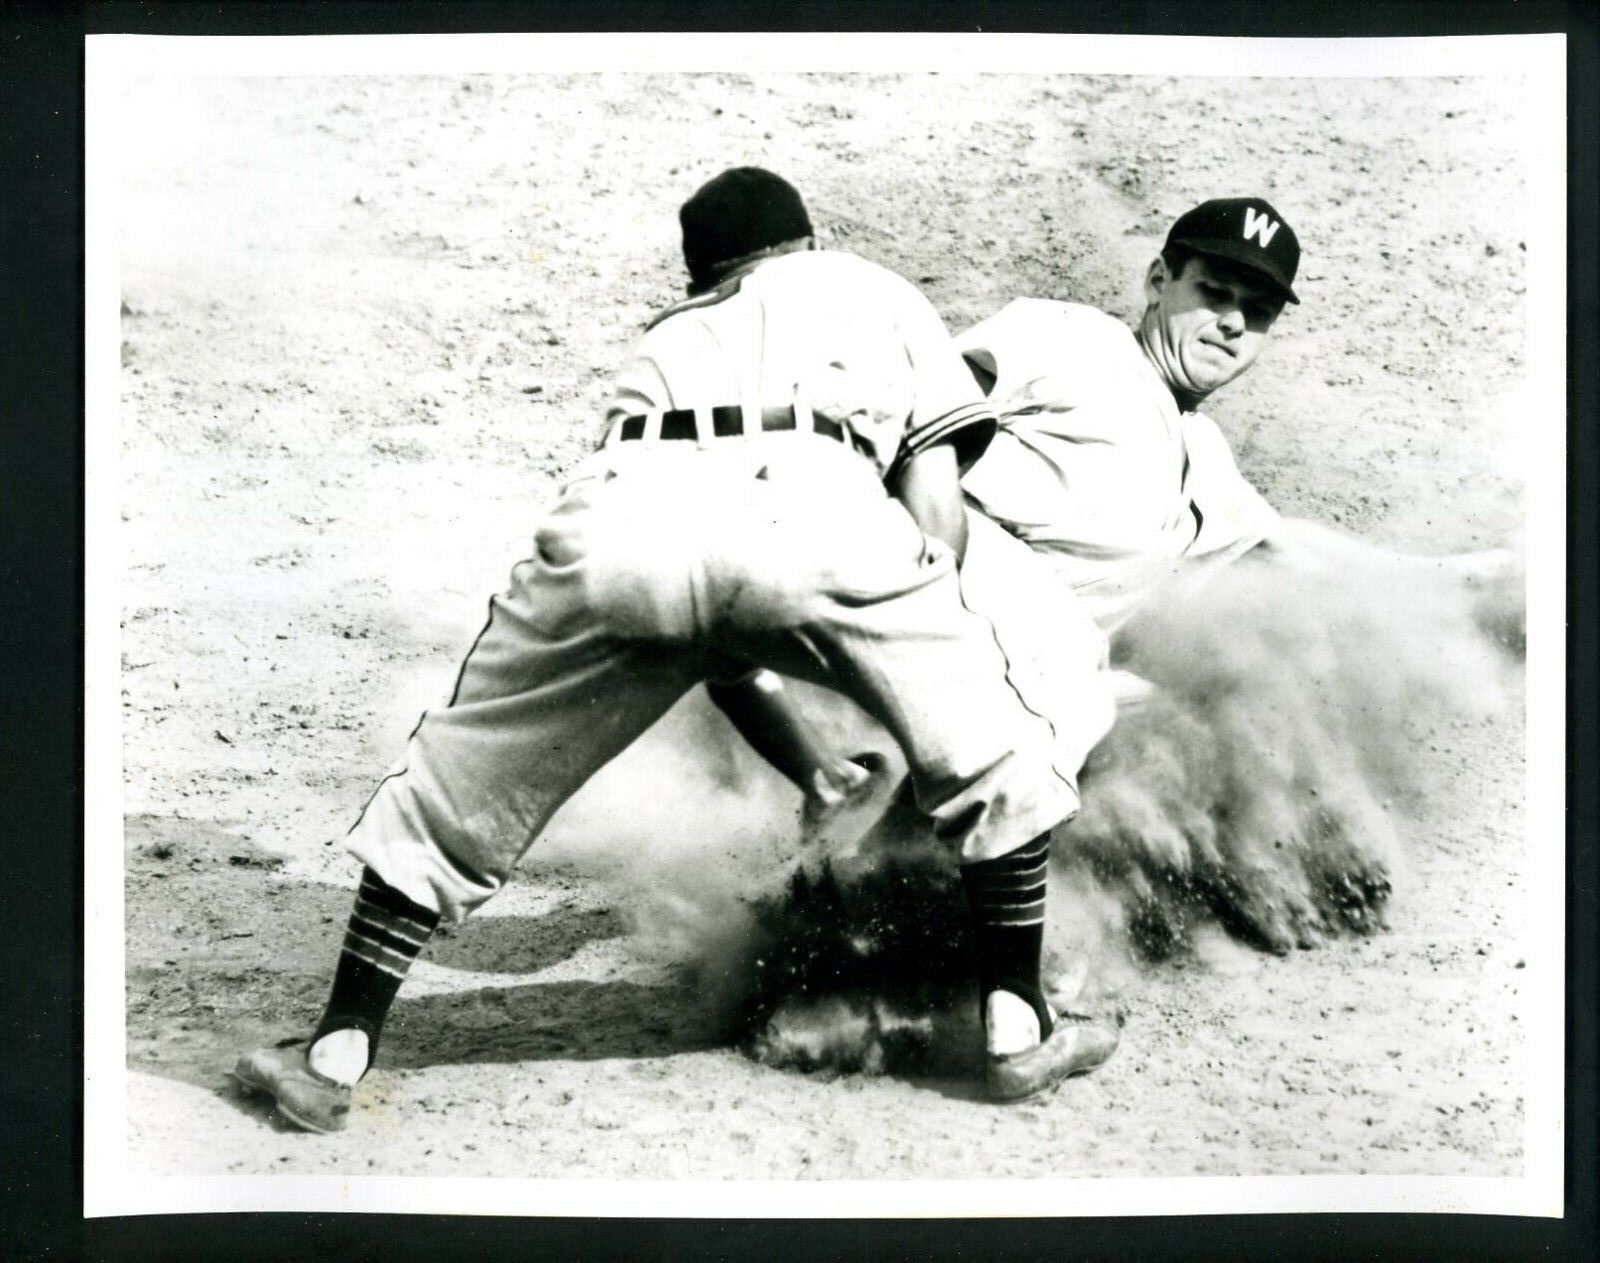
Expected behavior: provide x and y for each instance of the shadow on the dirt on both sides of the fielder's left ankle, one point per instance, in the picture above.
(226, 953)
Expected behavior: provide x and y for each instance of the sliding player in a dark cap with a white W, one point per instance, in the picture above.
(1105, 465)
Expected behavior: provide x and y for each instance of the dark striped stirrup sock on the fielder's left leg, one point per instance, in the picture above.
(386, 934)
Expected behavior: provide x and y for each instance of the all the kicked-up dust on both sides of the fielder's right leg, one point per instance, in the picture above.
(1265, 790)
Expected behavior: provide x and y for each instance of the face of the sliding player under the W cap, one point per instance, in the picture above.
(1206, 326)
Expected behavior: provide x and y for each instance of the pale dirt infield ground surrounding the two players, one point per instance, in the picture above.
(366, 327)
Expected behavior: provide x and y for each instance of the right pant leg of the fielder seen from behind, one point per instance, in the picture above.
(852, 596)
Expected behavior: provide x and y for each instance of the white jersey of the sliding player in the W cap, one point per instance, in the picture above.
(1095, 465)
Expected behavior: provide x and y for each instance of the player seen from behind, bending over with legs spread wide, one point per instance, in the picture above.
(778, 489)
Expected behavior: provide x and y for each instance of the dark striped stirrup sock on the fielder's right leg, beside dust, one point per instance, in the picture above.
(1007, 900)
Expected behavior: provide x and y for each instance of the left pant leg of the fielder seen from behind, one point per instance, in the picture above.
(546, 697)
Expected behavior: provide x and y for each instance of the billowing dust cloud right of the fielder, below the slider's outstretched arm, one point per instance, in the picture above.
(1294, 731)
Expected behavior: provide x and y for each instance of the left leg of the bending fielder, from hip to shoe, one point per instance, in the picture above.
(548, 696)
